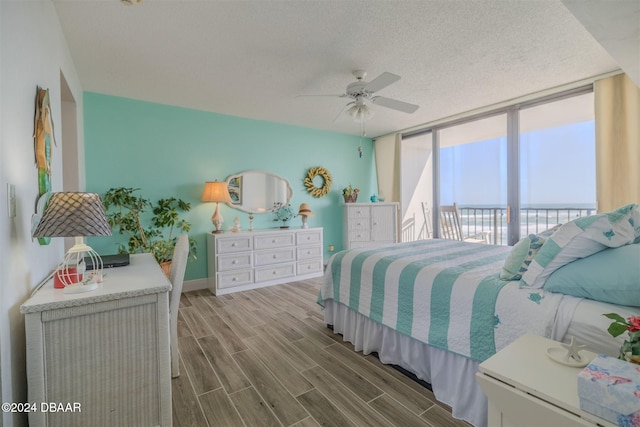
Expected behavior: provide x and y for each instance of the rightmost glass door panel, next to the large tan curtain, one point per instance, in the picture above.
(557, 163)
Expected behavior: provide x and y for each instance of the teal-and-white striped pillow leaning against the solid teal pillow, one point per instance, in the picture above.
(580, 238)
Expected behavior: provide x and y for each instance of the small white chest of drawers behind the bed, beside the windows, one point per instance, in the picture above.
(369, 224)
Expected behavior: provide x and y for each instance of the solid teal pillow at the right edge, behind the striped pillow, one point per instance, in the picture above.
(611, 275)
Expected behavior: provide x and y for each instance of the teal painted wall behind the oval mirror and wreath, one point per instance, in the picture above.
(169, 151)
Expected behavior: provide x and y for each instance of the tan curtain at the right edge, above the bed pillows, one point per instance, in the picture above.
(617, 114)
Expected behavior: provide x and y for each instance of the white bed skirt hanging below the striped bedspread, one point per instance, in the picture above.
(452, 377)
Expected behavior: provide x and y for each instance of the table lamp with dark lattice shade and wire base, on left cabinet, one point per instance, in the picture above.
(75, 215)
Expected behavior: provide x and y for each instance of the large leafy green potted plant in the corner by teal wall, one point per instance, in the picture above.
(150, 226)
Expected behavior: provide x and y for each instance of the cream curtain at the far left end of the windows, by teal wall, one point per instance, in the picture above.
(387, 150)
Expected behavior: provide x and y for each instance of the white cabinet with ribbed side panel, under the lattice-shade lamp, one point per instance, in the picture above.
(104, 352)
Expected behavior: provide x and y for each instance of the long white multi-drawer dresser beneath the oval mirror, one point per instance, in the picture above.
(254, 259)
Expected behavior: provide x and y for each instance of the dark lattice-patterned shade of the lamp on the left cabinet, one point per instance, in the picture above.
(73, 214)
